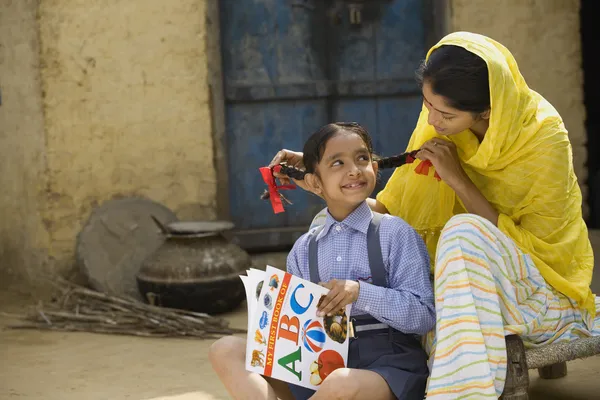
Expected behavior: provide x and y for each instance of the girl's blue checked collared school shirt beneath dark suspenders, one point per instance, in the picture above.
(407, 304)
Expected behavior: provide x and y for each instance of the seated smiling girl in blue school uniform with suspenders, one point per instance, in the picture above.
(376, 262)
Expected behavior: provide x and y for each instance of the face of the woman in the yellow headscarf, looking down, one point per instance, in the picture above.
(448, 120)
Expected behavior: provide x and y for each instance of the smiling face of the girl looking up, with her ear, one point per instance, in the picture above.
(346, 174)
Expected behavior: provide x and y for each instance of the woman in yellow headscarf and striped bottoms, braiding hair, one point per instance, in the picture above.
(504, 224)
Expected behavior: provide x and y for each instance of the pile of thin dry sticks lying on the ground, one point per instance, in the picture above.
(78, 309)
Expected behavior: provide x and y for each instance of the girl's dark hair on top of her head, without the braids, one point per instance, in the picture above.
(315, 145)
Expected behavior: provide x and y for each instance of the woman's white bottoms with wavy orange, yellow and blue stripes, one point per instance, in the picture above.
(486, 288)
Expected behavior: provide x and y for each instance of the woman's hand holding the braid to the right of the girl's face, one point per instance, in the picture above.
(444, 157)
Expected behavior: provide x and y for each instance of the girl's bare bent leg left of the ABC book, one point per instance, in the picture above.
(228, 356)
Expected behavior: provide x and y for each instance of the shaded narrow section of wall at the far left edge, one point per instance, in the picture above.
(23, 238)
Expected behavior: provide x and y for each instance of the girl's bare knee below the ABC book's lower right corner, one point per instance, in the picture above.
(349, 383)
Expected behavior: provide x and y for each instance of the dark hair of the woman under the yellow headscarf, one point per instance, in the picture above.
(458, 75)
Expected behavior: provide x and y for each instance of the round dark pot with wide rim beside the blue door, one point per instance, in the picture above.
(195, 269)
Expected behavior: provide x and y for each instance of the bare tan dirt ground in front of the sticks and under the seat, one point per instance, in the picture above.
(81, 366)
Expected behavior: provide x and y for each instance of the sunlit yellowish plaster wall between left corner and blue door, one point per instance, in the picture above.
(125, 98)
